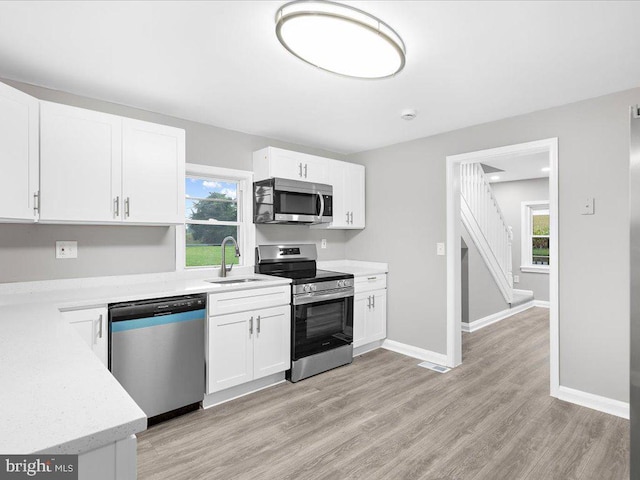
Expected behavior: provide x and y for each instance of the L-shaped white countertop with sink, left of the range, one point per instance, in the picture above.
(56, 395)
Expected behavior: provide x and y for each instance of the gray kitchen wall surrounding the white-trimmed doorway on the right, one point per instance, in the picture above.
(594, 290)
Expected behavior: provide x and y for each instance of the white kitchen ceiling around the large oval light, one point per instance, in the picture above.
(220, 63)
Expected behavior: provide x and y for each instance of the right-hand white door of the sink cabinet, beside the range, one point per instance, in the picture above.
(272, 344)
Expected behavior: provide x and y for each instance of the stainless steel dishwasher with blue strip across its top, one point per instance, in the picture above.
(157, 353)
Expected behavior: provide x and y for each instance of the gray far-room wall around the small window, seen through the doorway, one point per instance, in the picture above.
(510, 196)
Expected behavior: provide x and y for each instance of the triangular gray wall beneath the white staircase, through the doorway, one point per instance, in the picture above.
(484, 296)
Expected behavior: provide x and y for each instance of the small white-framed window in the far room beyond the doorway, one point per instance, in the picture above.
(535, 237)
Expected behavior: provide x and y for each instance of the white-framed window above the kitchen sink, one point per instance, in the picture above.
(217, 205)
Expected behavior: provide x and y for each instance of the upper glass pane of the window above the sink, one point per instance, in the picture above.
(211, 200)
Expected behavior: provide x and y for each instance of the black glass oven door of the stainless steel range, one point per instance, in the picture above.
(321, 323)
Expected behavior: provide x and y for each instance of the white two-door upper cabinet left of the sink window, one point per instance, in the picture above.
(101, 168)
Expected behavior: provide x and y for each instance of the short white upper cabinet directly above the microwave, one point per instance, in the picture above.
(276, 162)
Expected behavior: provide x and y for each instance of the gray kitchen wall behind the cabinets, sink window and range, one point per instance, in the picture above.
(28, 252)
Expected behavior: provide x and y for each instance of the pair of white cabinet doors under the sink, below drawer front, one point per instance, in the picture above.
(249, 345)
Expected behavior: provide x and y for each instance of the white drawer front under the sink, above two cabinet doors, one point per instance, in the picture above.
(243, 300)
